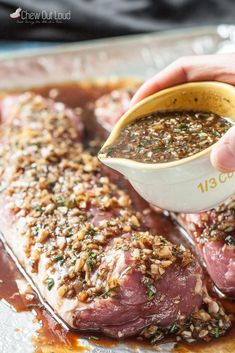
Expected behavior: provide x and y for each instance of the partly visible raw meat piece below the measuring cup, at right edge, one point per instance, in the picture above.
(214, 235)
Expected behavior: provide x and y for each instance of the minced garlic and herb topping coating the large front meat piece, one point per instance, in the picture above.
(76, 216)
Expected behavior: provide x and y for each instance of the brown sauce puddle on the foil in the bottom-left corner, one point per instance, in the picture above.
(51, 333)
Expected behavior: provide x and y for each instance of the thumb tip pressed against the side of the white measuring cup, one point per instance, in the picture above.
(223, 153)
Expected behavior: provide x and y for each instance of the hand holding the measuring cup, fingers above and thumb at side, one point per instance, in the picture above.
(199, 68)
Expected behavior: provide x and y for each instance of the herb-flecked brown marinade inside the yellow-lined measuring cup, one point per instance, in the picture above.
(167, 136)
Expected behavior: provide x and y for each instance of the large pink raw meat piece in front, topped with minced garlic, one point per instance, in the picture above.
(90, 254)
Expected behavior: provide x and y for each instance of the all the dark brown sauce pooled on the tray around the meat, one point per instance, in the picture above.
(52, 337)
